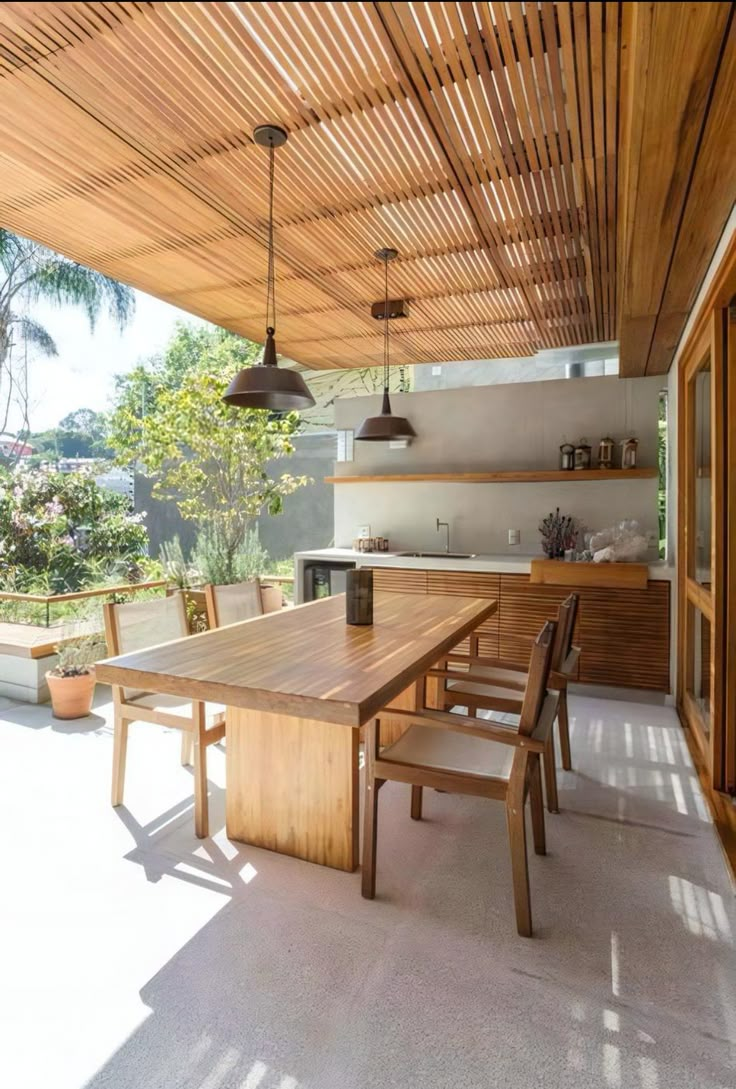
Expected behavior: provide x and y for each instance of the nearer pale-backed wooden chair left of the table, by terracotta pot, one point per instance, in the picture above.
(137, 627)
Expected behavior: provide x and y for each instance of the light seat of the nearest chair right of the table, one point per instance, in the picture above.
(446, 751)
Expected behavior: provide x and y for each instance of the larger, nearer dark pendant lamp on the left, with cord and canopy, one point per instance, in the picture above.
(265, 385)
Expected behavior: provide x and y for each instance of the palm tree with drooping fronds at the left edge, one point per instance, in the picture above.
(31, 274)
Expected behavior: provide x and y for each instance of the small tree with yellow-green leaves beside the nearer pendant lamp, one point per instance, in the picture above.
(207, 457)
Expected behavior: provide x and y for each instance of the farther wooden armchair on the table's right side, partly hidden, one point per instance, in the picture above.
(492, 684)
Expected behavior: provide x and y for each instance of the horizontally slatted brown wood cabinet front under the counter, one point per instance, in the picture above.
(624, 634)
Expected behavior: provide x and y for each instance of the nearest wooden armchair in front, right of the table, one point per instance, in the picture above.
(463, 755)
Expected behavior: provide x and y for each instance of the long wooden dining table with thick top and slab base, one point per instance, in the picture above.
(299, 684)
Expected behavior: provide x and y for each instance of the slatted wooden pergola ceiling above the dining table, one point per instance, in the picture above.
(479, 139)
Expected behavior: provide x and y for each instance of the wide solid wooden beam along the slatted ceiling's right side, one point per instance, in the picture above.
(674, 52)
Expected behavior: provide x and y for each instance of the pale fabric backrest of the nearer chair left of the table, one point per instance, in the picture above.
(137, 626)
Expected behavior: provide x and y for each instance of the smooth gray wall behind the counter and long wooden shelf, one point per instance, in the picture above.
(517, 426)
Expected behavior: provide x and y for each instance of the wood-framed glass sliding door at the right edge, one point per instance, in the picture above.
(707, 530)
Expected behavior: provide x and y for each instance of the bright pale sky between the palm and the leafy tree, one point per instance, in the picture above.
(82, 375)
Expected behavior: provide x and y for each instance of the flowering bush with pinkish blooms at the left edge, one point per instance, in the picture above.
(62, 532)
